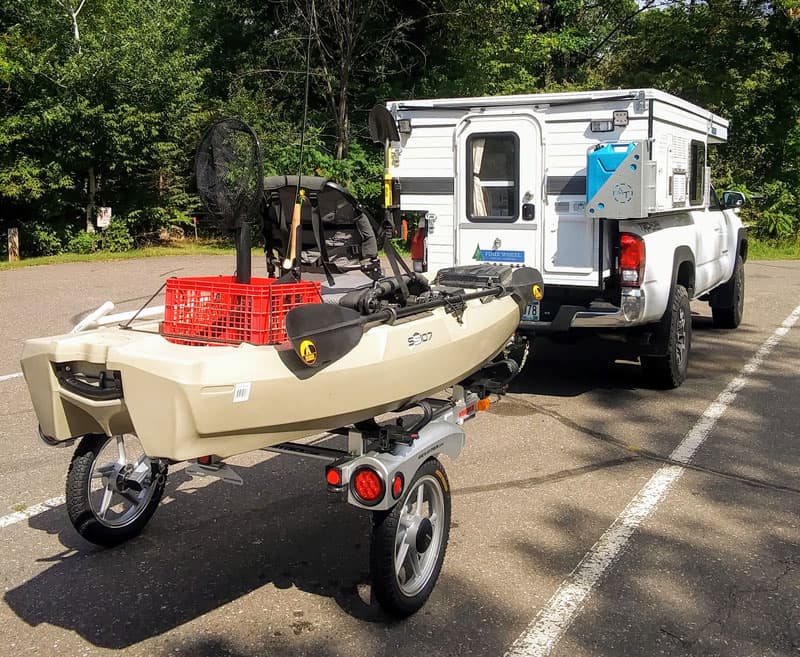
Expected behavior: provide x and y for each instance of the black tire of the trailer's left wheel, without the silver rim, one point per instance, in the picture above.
(81, 514)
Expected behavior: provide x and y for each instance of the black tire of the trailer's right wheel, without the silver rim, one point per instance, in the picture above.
(385, 585)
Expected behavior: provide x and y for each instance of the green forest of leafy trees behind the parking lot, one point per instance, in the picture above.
(102, 102)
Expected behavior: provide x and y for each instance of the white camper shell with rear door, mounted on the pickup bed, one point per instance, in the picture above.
(537, 214)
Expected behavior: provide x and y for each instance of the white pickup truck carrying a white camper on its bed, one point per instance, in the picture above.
(606, 193)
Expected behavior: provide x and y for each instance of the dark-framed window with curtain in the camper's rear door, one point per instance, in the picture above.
(492, 193)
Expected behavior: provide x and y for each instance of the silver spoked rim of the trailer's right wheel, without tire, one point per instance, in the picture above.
(419, 535)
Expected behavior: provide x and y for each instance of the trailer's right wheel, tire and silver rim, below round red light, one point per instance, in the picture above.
(409, 542)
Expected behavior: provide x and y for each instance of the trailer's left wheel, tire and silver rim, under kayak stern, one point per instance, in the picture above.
(113, 488)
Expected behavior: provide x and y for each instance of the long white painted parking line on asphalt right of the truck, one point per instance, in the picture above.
(557, 615)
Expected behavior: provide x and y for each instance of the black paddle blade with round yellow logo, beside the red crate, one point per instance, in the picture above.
(323, 332)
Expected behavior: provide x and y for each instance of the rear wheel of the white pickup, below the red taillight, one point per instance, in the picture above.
(675, 336)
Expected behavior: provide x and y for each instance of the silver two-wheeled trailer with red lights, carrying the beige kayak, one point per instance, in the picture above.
(390, 468)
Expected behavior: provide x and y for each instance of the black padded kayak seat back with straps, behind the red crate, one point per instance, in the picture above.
(336, 234)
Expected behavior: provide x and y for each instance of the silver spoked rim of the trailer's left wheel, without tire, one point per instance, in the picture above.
(121, 482)
